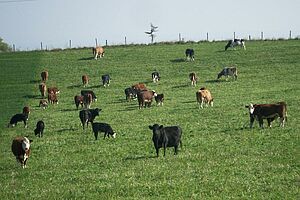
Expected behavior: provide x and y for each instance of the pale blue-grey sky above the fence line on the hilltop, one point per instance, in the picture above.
(27, 23)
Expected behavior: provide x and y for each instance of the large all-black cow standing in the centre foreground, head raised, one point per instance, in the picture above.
(169, 136)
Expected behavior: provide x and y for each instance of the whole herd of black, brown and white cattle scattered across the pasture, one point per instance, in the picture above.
(163, 137)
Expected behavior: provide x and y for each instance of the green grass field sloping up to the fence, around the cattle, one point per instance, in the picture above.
(221, 157)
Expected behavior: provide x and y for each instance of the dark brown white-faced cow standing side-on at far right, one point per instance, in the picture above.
(269, 112)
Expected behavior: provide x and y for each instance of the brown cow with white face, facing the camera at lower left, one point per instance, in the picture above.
(21, 149)
